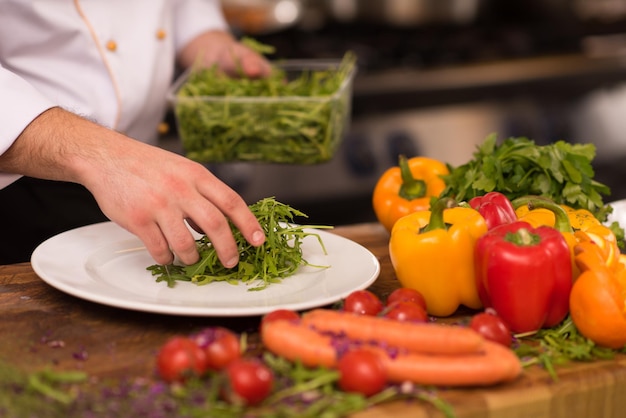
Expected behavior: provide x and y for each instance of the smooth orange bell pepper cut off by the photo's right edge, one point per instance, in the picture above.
(598, 298)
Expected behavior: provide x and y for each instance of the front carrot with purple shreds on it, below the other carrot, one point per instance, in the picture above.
(297, 341)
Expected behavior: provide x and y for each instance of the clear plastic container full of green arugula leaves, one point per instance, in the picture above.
(290, 116)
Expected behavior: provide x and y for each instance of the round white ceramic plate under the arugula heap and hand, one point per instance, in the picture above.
(104, 263)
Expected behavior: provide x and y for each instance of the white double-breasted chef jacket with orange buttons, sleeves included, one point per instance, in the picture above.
(111, 61)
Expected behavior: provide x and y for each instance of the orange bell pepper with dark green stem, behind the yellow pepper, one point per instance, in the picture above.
(407, 188)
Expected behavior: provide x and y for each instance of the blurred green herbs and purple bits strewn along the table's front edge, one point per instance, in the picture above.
(299, 392)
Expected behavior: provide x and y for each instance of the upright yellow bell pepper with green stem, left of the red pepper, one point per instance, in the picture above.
(433, 253)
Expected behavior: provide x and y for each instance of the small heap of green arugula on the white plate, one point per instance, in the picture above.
(279, 257)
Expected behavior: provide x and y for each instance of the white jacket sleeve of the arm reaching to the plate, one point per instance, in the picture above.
(20, 103)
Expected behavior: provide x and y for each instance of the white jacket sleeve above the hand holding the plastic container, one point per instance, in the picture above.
(192, 17)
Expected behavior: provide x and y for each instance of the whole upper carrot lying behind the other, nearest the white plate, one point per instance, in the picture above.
(418, 337)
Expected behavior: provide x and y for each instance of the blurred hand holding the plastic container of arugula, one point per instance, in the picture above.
(221, 48)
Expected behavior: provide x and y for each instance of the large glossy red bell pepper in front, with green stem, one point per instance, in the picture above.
(525, 274)
